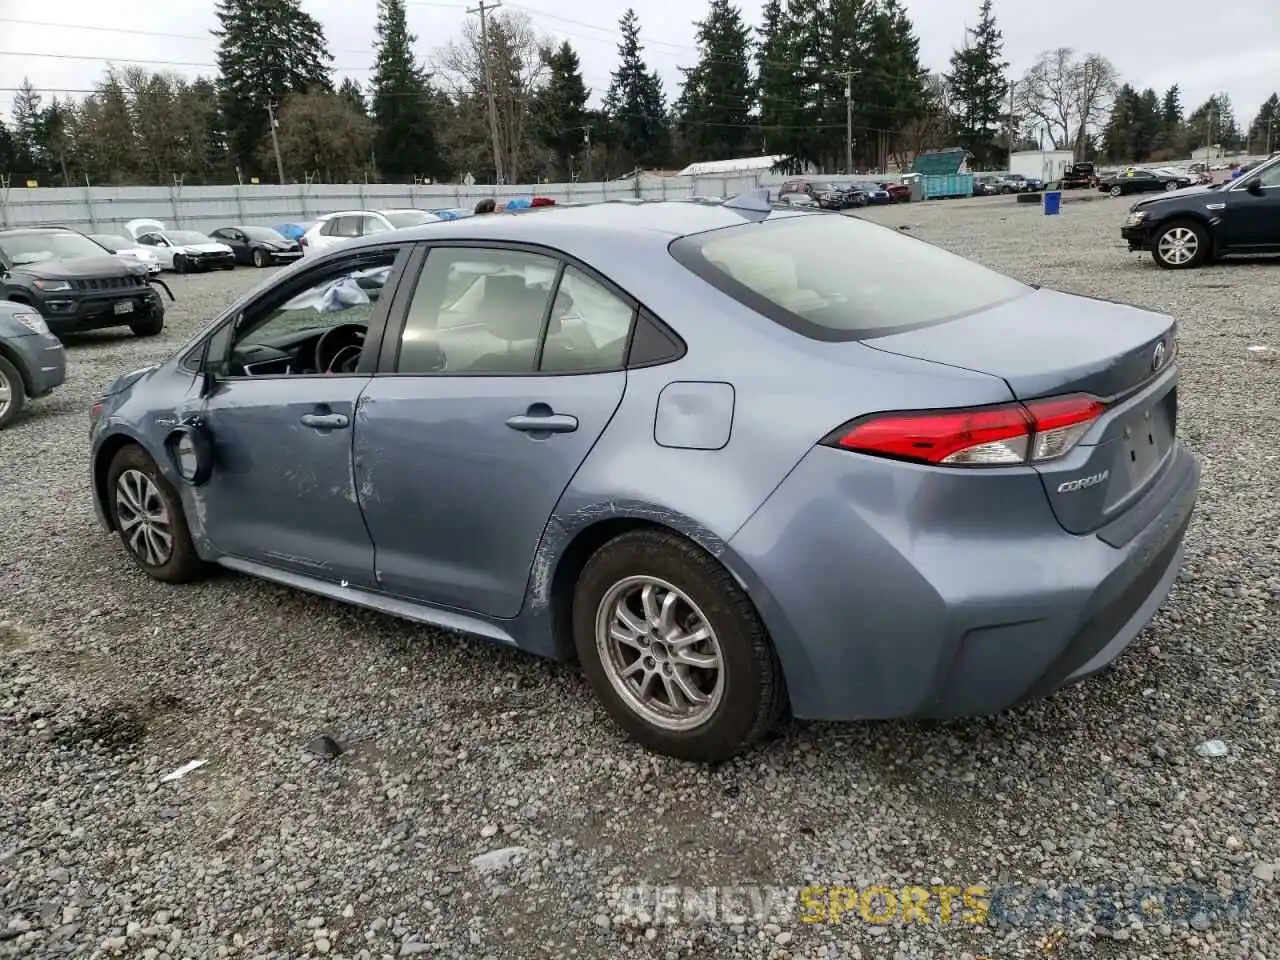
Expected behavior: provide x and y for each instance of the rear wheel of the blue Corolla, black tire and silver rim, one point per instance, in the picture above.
(675, 650)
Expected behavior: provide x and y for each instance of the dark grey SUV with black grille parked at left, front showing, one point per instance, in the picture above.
(75, 284)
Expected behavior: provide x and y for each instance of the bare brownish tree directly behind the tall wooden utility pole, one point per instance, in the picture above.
(518, 67)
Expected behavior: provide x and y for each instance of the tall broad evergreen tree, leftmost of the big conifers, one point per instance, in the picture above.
(267, 51)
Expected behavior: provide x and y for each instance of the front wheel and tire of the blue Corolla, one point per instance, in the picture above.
(149, 519)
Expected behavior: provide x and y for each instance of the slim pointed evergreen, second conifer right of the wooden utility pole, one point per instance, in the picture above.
(636, 103)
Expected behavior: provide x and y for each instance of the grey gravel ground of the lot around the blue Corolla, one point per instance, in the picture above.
(455, 749)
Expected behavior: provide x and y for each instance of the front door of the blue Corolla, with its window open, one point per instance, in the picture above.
(282, 417)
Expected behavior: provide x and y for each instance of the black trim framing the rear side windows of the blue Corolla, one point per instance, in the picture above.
(394, 333)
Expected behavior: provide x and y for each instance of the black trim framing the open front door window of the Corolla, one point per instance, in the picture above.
(195, 359)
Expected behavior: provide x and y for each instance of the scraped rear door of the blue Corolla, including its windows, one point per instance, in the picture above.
(493, 400)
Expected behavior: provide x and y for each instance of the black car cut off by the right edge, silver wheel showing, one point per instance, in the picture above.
(1195, 226)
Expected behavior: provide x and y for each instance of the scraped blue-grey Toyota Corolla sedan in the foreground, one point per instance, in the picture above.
(738, 461)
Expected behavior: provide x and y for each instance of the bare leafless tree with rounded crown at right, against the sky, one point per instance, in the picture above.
(1067, 97)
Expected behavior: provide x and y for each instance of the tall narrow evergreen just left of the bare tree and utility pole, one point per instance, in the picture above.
(405, 141)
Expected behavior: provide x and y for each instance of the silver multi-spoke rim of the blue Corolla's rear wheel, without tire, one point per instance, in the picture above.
(660, 653)
